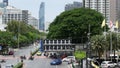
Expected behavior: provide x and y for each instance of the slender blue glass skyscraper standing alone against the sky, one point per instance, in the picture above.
(42, 16)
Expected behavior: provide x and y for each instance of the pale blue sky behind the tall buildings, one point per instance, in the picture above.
(52, 7)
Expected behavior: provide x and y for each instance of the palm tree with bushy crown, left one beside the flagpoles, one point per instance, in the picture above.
(98, 44)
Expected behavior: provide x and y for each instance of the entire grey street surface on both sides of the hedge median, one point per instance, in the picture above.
(38, 62)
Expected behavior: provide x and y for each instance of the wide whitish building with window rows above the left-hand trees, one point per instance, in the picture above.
(11, 13)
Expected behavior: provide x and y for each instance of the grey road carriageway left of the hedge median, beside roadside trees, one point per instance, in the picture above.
(10, 60)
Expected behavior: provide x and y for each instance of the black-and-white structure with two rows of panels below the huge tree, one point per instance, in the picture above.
(58, 46)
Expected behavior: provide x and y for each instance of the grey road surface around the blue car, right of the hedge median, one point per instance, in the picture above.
(43, 63)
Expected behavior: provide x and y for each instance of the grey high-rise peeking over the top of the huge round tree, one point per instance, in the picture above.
(72, 6)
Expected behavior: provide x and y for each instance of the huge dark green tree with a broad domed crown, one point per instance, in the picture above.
(74, 24)
